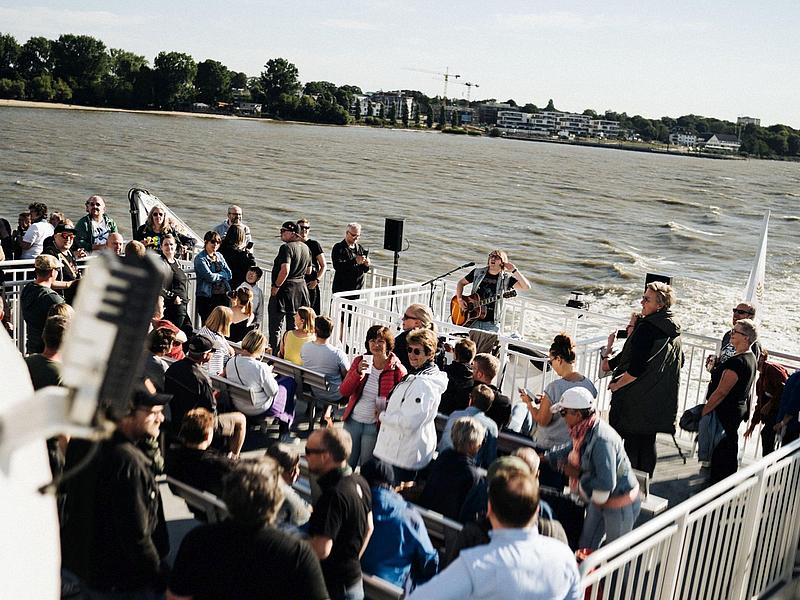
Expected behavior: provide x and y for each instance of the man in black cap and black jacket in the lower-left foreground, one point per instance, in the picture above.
(112, 506)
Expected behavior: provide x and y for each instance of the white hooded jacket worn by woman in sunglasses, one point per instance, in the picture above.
(407, 437)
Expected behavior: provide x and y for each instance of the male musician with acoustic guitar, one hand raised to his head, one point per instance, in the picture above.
(490, 283)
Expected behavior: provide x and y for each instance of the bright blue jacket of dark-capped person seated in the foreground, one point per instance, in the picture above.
(399, 545)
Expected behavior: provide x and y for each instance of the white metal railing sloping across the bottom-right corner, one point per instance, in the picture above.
(735, 540)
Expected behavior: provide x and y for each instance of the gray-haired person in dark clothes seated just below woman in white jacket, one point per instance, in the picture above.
(454, 473)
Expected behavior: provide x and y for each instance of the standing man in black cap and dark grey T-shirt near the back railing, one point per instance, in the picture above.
(288, 291)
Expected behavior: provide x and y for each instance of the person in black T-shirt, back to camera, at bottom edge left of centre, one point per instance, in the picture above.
(217, 560)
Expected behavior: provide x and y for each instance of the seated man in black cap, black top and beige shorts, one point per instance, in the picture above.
(189, 384)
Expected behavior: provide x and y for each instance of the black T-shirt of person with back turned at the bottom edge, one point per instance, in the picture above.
(228, 561)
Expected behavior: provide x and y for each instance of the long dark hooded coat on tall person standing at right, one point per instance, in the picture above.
(650, 403)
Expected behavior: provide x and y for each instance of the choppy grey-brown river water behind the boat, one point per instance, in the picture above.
(569, 217)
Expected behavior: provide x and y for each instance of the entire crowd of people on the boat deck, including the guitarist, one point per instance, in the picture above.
(388, 449)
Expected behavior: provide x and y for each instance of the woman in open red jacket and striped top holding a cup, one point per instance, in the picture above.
(367, 385)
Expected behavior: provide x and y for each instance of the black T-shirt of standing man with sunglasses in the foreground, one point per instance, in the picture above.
(341, 514)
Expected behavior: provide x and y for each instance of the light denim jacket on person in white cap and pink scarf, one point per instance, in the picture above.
(604, 464)
